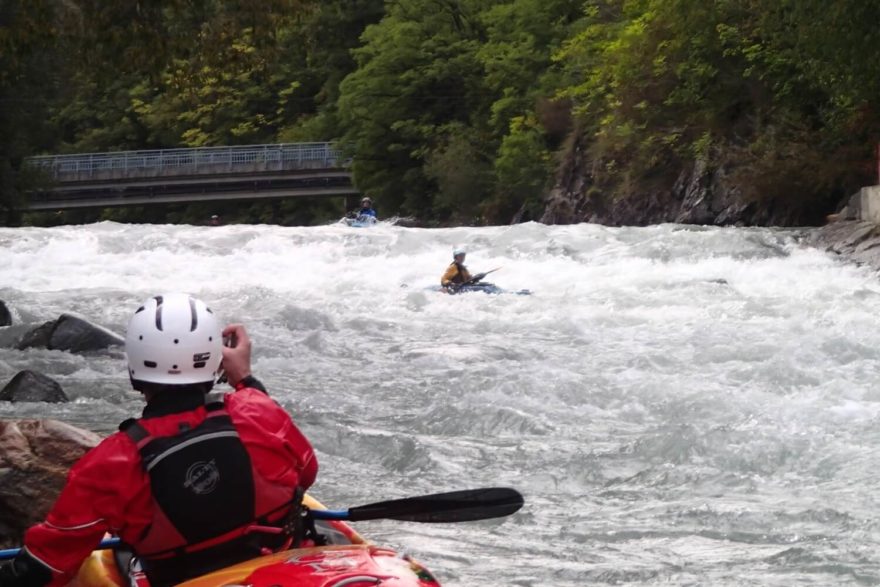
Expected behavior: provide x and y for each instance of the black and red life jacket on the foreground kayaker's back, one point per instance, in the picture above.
(203, 491)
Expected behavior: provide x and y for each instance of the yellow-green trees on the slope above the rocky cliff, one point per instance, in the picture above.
(745, 85)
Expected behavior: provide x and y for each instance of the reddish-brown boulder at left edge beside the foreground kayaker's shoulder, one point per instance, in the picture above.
(35, 456)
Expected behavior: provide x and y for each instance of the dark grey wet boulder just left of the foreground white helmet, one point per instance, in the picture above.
(70, 332)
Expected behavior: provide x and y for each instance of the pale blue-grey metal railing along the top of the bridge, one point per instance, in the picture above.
(283, 156)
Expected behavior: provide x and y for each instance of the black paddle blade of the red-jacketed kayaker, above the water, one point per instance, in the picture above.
(455, 506)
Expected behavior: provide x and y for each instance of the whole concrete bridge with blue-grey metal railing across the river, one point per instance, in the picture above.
(129, 178)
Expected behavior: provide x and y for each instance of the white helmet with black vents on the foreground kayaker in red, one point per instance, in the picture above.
(174, 339)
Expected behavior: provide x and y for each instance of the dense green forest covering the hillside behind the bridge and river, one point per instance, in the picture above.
(462, 111)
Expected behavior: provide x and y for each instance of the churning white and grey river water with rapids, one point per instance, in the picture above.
(679, 405)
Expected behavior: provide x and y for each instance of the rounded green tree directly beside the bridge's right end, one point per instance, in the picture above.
(417, 74)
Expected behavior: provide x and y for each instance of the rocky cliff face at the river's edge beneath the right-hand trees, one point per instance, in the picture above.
(697, 195)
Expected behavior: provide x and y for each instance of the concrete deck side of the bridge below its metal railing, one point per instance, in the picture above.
(169, 190)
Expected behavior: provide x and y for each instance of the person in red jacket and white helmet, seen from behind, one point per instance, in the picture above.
(181, 484)
